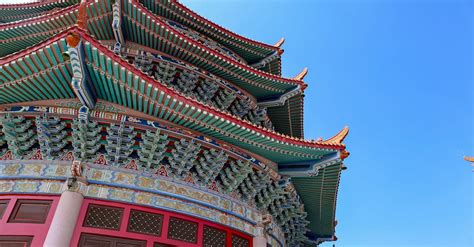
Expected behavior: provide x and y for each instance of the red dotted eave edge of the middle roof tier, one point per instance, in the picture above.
(244, 67)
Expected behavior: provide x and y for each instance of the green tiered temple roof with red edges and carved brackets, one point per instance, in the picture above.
(160, 86)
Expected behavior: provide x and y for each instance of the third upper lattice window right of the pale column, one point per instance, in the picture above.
(182, 230)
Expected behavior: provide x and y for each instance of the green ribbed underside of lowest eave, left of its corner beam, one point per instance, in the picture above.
(48, 77)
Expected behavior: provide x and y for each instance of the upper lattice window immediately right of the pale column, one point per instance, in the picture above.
(99, 216)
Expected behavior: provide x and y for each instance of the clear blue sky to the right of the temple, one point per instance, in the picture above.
(400, 75)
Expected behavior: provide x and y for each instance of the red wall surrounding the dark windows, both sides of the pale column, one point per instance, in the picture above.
(39, 231)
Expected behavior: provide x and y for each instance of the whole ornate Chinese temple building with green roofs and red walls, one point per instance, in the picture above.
(140, 123)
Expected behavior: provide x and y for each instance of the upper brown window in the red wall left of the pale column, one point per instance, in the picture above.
(30, 211)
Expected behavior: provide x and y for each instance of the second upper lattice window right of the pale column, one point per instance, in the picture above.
(144, 222)
